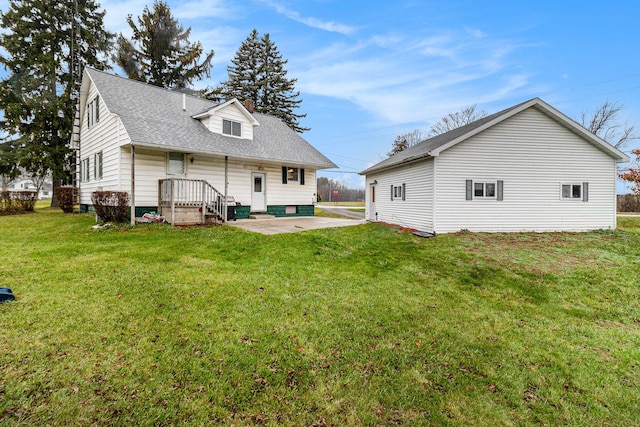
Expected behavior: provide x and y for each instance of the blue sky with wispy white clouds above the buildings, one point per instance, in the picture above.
(369, 70)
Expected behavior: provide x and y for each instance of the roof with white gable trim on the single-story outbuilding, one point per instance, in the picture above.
(434, 146)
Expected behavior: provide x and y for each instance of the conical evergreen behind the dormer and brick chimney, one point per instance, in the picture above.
(258, 74)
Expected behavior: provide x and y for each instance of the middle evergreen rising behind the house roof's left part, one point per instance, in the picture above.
(159, 52)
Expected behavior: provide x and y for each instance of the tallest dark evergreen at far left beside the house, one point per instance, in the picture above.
(45, 46)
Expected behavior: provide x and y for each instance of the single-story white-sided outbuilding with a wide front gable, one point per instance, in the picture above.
(526, 168)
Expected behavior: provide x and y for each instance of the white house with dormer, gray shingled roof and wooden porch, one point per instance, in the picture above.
(171, 152)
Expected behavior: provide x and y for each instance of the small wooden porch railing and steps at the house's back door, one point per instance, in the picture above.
(179, 192)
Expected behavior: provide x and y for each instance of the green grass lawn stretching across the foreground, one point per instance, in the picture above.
(352, 326)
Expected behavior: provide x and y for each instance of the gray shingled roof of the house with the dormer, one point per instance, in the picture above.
(154, 117)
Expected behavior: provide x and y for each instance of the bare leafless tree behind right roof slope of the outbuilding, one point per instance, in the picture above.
(605, 123)
